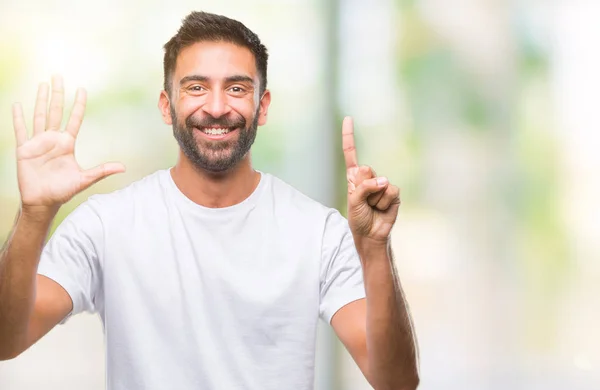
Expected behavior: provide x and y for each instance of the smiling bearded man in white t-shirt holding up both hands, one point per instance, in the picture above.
(208, 275)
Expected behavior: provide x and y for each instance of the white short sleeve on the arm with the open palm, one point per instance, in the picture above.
(71, 258)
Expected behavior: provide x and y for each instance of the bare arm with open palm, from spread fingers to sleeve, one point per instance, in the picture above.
(48, 176)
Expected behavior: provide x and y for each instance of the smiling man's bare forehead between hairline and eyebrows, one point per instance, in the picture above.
(215, 60)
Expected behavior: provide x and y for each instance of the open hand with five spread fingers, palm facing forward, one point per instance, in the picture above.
(47, 171)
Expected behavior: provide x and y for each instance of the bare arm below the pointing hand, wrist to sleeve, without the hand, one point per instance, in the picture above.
(378, 331)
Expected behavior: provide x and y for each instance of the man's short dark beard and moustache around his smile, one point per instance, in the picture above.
(215, 155)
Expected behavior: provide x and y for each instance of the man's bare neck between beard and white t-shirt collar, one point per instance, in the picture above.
(215, 190)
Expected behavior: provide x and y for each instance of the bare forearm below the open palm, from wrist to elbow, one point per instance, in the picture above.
(19, 260)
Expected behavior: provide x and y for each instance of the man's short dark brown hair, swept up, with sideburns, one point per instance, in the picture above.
(203, 26)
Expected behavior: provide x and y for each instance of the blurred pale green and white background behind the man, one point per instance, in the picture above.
(483, 112)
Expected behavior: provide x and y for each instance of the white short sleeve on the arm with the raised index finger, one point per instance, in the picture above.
(341, 271)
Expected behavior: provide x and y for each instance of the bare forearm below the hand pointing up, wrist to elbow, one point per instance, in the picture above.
(390, 339)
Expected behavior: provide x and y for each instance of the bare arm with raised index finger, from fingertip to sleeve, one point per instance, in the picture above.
(377, 331)
